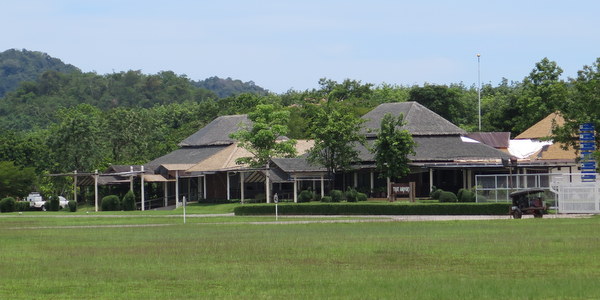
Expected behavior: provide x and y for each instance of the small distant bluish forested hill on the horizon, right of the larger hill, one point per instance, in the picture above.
(229, 87)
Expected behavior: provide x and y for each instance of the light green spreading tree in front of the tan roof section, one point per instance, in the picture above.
(262, 140)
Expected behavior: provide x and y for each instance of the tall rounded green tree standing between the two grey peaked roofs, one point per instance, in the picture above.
(336, 133)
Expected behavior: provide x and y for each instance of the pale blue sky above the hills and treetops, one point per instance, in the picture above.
(282, 45)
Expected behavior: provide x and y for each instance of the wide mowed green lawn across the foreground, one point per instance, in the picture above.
(496, 259)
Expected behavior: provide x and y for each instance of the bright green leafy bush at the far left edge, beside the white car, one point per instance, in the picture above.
(15, 181)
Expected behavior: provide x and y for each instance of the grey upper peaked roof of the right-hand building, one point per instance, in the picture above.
(419, 120)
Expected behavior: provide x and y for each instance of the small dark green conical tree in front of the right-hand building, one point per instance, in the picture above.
(392, 147)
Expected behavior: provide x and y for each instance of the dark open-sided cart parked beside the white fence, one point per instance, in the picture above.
(529, 201)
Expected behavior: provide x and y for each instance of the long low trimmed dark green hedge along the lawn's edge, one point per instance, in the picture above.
(376, 209)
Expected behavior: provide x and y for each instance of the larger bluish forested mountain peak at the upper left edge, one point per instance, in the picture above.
(17, 66)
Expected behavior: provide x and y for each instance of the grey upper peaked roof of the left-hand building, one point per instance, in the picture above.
(217, 132)
